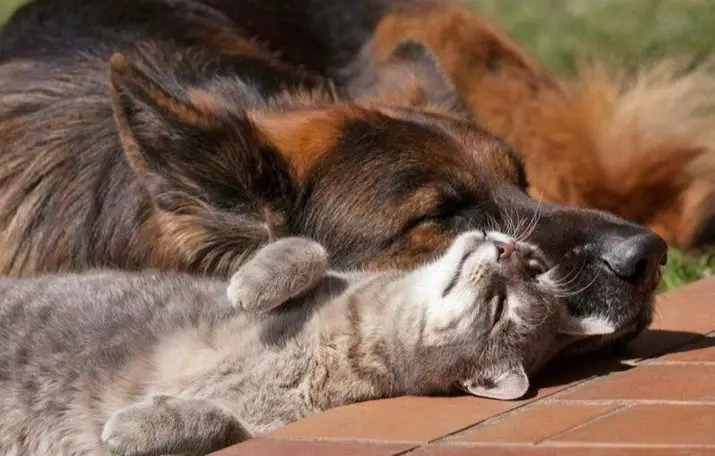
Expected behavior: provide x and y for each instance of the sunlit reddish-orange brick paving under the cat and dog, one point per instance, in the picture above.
(659, 402)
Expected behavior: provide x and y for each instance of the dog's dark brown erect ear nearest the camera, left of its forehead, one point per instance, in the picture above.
(182, 140)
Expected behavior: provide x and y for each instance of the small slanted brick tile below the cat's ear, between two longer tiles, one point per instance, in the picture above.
(534, 423)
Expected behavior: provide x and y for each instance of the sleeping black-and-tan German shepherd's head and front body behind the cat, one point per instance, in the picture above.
(159, 134)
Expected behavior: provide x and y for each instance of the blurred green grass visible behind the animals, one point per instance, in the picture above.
(632, 31)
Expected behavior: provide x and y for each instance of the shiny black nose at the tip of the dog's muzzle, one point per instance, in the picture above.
(635, 257)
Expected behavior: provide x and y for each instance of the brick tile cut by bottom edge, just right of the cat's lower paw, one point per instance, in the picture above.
(272, 447)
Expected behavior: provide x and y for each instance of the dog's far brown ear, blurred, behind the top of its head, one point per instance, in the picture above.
(410, 76)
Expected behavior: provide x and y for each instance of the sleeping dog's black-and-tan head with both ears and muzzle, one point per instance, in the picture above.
(387, 179)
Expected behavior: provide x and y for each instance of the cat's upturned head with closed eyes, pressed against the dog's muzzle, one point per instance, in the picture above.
(491, 316)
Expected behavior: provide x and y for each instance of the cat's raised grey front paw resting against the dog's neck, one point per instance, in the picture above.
(278, 272)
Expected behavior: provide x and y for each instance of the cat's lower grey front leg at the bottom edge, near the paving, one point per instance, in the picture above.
(169, 425)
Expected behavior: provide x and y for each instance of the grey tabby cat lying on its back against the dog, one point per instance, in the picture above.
(150, 363)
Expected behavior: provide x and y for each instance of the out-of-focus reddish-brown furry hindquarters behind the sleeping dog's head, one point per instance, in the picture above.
(639, 146)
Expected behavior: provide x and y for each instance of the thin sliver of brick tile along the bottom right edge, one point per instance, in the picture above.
(444, 450)
